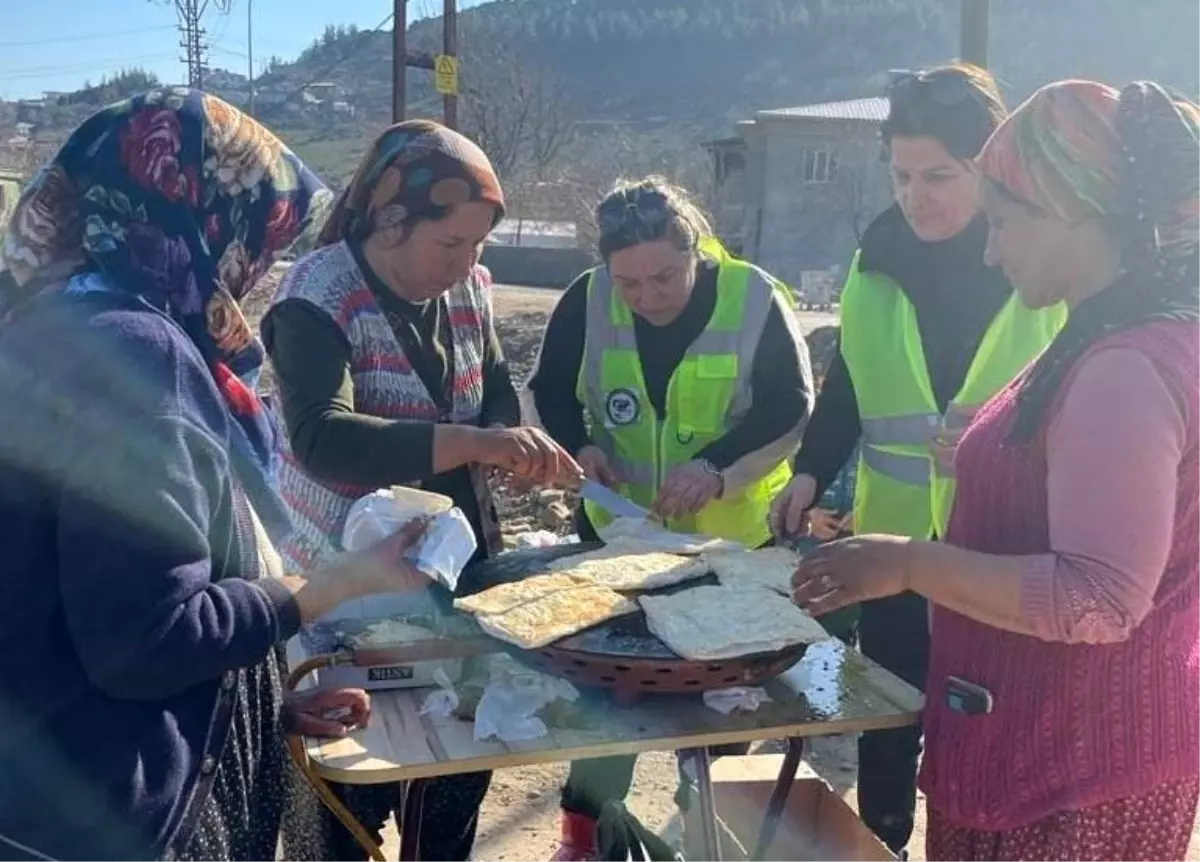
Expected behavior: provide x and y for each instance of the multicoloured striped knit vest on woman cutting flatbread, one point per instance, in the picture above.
(385, 385)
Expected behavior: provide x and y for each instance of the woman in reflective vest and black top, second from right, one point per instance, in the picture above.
(929, 332)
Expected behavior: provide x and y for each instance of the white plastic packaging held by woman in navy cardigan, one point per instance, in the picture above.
(447, 546)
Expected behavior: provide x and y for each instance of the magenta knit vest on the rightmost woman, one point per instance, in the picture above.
(1075, 726)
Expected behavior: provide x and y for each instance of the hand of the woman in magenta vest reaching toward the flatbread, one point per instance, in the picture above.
(853, 571)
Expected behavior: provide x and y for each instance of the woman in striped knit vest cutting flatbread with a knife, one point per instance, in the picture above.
(392, 374)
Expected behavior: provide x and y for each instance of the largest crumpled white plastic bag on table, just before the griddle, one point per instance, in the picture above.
(508, 710)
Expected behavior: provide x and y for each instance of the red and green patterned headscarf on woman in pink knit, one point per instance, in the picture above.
(1082, 151)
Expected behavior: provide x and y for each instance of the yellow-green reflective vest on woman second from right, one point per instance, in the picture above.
(899, 490)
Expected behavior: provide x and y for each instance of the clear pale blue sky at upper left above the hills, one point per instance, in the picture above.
(59, 45)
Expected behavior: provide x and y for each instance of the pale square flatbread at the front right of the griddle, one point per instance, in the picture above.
(711, 624)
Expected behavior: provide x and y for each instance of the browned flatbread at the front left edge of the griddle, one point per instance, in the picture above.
(553, 618)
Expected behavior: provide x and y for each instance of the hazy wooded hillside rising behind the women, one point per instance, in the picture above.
(561, 88)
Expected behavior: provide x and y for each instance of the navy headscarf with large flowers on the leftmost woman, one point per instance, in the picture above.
(181, 200)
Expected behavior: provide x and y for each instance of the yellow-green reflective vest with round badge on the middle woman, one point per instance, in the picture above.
(709, 393)
